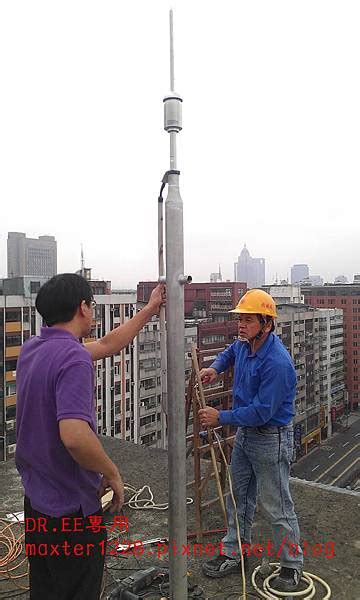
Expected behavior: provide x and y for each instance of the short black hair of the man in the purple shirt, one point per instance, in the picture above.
(59, 298)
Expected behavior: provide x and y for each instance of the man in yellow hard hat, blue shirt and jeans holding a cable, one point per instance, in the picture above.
(263, 408)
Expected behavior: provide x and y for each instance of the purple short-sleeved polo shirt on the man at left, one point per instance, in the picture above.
(54, 380)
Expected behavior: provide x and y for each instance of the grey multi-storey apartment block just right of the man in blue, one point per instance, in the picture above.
(314, 339)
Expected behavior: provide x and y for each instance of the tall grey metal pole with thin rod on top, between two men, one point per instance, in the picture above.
(175, 348)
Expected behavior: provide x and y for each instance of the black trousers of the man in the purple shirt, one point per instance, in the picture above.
(66, 555)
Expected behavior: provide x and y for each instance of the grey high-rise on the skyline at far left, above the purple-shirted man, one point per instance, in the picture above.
(28, 256)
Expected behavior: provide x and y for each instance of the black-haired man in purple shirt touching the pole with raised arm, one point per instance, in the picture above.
(63, 466)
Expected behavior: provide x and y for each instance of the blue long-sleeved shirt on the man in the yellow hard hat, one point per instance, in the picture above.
(264, 384)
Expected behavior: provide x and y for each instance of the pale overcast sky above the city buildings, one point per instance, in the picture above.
(270, 148)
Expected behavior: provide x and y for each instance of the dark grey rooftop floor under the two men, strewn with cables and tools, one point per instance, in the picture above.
(329, 518)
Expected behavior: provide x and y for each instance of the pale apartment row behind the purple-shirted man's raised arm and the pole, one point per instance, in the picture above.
(128, 385)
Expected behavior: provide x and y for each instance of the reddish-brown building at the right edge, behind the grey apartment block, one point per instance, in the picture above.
(346, 297)
